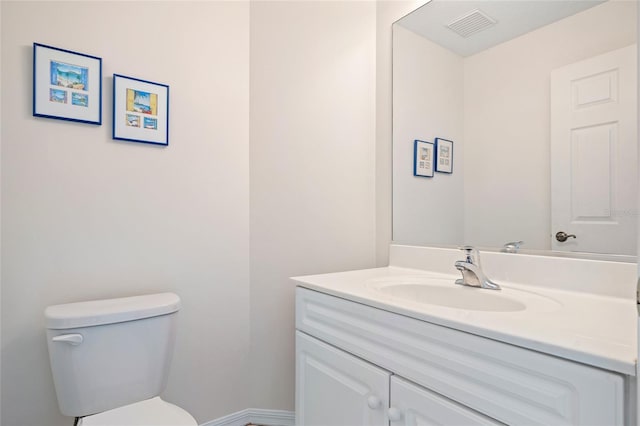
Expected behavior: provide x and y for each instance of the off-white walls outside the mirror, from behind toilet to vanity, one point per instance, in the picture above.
(86, 217)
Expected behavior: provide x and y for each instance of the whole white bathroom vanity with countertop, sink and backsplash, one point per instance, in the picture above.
(404, 345)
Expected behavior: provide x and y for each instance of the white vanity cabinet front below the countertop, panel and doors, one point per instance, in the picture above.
(360, 365)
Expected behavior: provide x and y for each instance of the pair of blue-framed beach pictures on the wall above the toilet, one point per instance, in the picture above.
(68, 86)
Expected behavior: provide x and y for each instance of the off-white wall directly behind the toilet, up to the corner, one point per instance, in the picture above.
(86, 217)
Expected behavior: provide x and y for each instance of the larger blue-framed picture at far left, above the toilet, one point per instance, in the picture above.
(66, 85)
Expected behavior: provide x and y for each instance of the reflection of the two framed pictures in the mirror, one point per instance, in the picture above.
(429, 156)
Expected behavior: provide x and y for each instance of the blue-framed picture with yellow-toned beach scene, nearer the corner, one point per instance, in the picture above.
(140, 110)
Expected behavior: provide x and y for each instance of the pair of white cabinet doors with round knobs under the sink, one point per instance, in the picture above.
(336, 388)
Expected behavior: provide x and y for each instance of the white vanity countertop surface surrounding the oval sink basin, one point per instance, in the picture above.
(594, 329)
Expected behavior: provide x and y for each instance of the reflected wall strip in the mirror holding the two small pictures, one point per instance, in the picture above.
(427, 103)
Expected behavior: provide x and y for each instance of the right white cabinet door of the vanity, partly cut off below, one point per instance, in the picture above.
(413, 405)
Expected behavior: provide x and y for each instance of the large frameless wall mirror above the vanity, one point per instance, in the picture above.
(540, 101)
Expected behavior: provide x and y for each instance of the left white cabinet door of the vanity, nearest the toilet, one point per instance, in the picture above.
(334, 388)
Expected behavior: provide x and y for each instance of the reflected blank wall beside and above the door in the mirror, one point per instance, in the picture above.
(507, 173)
